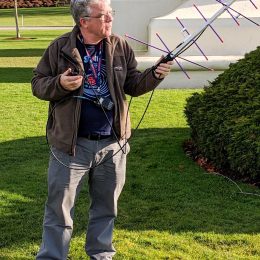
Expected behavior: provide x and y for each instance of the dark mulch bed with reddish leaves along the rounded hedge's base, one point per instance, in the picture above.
(192, 152)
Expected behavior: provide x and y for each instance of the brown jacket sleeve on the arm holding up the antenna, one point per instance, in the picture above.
(138, 83)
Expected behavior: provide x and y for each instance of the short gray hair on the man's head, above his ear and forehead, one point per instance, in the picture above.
(81, 8)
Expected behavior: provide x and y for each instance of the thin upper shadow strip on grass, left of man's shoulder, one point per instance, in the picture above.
(21, 52)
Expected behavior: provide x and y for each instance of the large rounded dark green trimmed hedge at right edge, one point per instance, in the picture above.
(225, 118)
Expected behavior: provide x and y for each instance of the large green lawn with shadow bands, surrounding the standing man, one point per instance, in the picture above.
(169, 209)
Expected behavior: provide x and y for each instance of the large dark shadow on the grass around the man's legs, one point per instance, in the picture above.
(165, 191)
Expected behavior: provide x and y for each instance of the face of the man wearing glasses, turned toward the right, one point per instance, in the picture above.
(99, 24)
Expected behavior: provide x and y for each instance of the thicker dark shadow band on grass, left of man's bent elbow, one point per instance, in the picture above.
(22, 75)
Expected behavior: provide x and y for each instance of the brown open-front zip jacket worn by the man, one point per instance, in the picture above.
(123, 78)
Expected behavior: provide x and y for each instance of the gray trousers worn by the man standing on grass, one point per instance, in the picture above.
(106, 182)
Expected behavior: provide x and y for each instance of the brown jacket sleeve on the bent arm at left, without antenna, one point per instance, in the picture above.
(46, 80)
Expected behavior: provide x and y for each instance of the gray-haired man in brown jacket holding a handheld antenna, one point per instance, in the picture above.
(85, 75)
